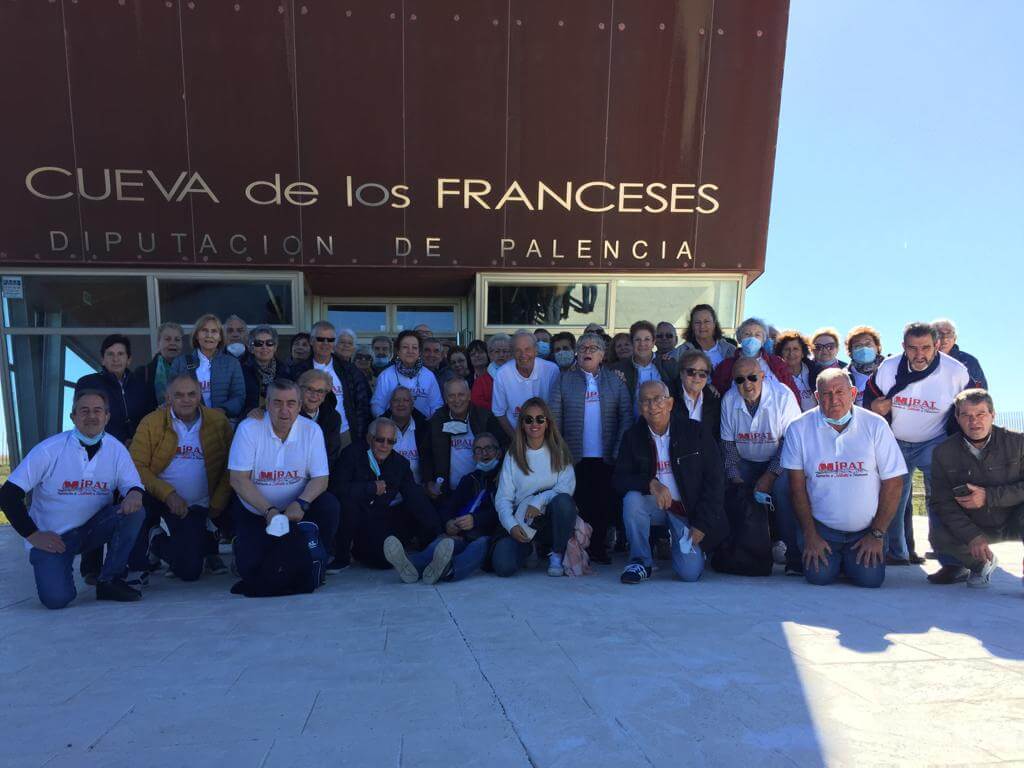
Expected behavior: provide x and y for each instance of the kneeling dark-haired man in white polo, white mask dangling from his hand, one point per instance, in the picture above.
(284, 513)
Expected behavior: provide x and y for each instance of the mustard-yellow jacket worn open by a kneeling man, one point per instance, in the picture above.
(155, 443)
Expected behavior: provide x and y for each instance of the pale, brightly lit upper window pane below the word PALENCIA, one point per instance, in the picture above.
(636, 301)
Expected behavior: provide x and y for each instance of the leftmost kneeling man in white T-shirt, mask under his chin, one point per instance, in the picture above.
(72, 478)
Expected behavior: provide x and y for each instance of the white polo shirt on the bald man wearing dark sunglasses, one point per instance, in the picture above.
(757, 437)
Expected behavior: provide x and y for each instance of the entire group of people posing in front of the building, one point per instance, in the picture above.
(441, 461)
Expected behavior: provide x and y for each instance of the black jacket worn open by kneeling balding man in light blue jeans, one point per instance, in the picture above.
(697, 465)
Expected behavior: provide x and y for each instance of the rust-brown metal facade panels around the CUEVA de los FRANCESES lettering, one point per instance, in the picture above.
(397, 93)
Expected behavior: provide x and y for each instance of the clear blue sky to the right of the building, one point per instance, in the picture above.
(899, 176)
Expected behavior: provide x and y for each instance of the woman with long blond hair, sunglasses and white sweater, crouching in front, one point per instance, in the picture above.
(535, 493)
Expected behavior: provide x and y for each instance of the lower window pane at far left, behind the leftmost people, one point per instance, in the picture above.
(44, 373)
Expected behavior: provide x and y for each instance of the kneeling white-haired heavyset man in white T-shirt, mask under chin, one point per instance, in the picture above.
(846, 477)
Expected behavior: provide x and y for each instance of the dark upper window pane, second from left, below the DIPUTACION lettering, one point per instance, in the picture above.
(255, 303)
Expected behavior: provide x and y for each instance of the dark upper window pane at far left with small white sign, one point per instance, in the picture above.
(56, 302)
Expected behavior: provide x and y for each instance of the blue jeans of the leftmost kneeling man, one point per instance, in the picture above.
(55, 580)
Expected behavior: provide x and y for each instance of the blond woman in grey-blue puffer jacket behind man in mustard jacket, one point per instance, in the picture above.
(221, 379)
